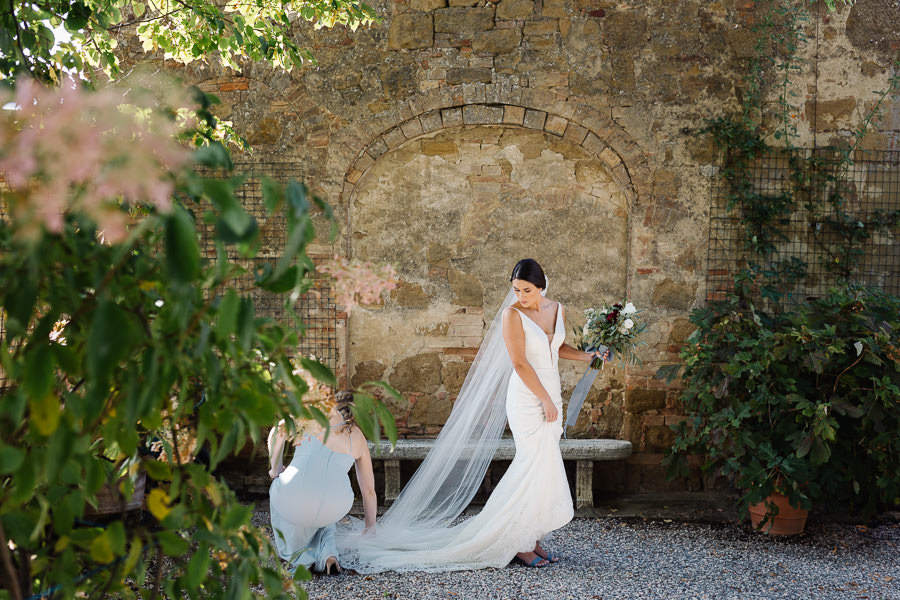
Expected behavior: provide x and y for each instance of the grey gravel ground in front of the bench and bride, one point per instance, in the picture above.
(613, 558)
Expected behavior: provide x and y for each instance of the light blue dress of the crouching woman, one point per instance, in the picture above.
(306, 500)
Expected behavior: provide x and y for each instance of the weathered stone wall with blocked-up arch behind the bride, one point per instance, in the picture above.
(458, 136)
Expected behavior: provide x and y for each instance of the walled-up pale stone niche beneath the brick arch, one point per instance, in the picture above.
(453, 210)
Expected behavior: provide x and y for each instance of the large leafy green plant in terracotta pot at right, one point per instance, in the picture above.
(801, 403)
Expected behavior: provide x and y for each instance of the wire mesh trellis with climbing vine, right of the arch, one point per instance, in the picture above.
(858, 242)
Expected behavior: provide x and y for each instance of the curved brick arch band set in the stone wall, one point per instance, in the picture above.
(579, 124)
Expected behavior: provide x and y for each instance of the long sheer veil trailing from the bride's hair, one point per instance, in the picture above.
(450, 475)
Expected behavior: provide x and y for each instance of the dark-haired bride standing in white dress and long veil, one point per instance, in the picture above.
(515, 376)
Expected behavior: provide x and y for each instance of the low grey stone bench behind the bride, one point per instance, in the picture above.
(585, 452)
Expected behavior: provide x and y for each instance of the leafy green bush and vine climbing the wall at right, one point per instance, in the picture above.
(802, 401)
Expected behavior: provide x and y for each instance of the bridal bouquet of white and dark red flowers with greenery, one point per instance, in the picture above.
(616, 327)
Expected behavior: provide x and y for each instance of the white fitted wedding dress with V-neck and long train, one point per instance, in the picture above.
(531, 500)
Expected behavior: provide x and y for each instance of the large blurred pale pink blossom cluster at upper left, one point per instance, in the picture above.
(69, 150)
